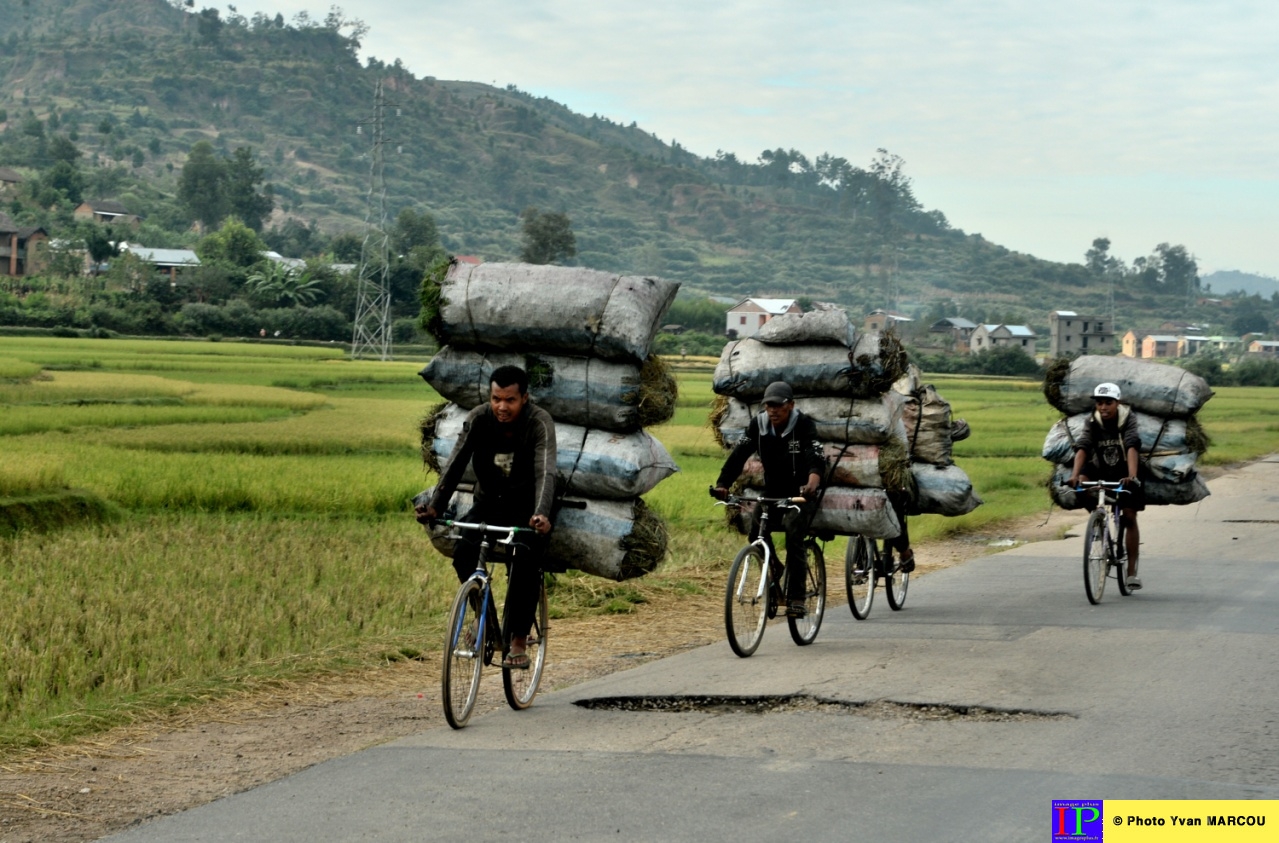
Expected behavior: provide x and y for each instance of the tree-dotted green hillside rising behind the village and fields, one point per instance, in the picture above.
(135, 85)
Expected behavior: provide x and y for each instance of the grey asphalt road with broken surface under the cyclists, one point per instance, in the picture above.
(997, 690)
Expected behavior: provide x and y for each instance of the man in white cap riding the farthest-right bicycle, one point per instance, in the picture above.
(1108, 450)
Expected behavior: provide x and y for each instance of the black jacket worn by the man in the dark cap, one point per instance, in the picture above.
(789, 456)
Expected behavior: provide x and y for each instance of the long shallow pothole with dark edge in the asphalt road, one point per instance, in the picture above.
(797, 703)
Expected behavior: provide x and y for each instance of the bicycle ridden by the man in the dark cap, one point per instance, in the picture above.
(758, 584)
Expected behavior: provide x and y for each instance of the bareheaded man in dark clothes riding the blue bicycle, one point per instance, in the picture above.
(511, 446)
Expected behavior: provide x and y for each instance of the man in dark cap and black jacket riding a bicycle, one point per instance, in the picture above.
(794, 464)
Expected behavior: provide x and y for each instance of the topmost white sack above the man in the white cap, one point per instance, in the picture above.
(1153, 388)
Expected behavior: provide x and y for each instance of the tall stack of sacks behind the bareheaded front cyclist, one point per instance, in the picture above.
(584, 337)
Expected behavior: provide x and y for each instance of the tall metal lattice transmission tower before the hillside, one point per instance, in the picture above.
(373, 335)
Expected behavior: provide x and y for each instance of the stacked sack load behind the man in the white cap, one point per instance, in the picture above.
(1166, 401)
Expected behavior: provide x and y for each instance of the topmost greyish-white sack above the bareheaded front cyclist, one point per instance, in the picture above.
(560, 310)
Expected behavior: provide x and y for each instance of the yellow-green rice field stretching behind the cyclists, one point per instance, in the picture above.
(200, 519)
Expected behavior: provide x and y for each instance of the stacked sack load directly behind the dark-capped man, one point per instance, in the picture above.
(844, 383)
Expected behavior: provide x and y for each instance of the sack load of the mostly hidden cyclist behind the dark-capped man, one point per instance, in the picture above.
(942, 487)
